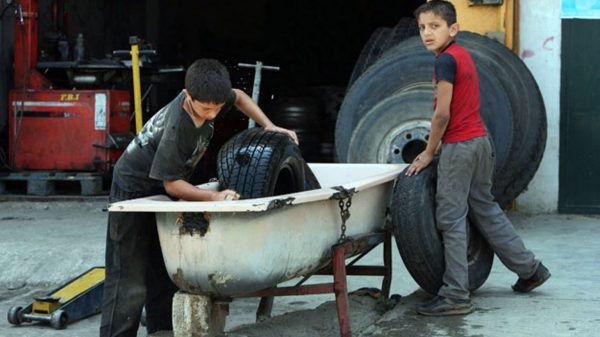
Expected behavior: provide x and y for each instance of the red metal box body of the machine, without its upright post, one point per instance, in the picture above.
(83, 130)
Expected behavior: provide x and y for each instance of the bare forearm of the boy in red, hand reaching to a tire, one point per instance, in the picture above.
(439, 122)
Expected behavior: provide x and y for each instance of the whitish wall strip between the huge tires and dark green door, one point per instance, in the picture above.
(540, 43)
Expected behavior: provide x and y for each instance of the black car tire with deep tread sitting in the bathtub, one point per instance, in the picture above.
(258, 163)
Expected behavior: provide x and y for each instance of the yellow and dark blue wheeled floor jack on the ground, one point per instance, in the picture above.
(79, 298)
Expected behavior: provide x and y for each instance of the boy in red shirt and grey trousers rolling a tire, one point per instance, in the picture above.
(464, 170)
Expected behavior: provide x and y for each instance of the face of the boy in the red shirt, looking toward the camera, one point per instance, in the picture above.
(435, 32)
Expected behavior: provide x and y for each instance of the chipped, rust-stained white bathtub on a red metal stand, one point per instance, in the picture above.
(266, 241)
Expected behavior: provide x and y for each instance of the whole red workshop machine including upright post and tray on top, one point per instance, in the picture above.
(53, 129)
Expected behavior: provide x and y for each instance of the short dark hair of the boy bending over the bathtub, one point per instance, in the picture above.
(207, 80)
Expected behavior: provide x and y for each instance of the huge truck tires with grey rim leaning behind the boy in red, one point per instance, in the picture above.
(386, 113)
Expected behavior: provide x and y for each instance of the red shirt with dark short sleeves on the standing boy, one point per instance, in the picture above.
(456, 66)
